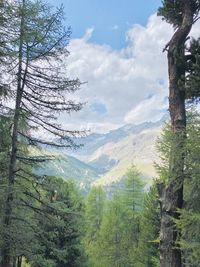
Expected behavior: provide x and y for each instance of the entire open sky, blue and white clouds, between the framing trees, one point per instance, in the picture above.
(116, 48)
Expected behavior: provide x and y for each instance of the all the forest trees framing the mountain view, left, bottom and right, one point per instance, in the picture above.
(46, 221)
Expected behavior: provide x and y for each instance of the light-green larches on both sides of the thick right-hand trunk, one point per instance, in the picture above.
(124, 230)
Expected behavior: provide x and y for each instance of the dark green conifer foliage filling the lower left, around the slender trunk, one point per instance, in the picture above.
(46, 228)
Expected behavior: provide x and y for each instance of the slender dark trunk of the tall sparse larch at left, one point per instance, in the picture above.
(7, 257)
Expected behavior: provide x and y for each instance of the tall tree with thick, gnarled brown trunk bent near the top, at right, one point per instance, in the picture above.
(182, 14)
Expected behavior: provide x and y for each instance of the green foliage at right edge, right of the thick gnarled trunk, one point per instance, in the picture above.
(190, 215)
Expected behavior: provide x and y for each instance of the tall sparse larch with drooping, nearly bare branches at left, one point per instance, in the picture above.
(34, 44)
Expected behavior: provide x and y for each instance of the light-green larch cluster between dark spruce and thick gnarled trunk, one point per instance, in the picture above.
(123, 230)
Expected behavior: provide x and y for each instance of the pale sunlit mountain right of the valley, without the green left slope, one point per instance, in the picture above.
(113, 153)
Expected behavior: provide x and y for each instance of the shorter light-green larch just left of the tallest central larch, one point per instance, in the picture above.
(112, 249)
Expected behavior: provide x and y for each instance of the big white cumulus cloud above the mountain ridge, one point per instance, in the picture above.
(121, 81)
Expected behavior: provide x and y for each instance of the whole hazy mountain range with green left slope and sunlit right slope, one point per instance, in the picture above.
(105, 158)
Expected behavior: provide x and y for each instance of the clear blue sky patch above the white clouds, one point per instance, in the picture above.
(109, 18)
